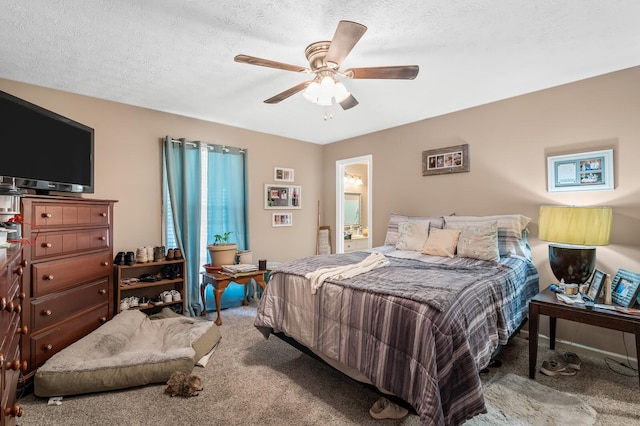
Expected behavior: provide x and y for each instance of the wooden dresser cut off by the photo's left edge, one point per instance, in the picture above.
(11, 302)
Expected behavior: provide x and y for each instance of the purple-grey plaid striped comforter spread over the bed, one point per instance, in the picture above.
(419, 328)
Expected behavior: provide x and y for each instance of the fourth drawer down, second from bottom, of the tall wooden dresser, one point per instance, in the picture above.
(48, 310)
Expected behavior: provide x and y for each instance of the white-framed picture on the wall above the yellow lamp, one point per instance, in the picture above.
(586, 171)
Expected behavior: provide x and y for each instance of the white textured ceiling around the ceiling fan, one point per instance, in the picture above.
(177, 56)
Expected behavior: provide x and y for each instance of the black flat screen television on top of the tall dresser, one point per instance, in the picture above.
(42, 150)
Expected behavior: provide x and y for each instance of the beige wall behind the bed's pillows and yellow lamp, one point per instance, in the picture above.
(508, 145)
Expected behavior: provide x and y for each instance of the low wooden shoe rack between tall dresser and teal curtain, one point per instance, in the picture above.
(127, 286)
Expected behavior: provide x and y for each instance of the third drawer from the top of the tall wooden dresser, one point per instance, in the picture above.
(57, 275)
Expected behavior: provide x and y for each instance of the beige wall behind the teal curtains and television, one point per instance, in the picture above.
(128, 169)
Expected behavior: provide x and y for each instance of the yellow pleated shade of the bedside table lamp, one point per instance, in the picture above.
(590, 226)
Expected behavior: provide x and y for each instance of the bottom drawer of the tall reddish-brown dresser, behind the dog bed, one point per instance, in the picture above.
(45, 345)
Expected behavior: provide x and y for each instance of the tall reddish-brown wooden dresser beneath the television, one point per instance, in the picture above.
(69, 282)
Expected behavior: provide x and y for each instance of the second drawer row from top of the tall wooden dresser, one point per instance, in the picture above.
(61, 243)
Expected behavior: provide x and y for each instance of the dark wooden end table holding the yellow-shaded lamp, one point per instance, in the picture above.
(546, 303)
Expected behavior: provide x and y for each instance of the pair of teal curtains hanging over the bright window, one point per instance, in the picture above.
(196, 175)
